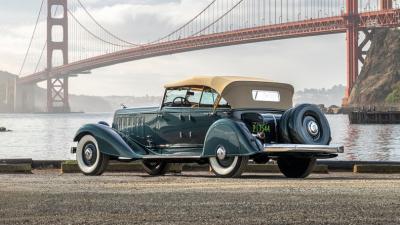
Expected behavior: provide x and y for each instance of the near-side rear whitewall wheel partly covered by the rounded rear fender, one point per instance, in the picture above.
(227, 166)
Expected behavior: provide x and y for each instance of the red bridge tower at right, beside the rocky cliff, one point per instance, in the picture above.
(355, 49)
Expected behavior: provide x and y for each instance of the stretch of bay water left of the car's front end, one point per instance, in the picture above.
(43, 136)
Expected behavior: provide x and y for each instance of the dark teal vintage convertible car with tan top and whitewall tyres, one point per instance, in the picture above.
(220, 120)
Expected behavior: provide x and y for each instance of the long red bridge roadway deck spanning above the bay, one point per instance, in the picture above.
(313, 27)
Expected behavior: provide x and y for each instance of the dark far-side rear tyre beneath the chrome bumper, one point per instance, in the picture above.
(293, 167)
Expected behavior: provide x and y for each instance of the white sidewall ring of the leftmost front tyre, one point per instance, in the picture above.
(79, 156)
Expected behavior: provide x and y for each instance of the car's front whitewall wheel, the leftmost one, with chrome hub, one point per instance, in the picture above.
(90, 160)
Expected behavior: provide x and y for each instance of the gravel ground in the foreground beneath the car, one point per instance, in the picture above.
(46, 197)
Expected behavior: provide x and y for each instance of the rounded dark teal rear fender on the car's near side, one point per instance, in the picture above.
(234, 136)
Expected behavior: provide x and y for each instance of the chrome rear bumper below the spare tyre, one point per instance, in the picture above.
(280, 148)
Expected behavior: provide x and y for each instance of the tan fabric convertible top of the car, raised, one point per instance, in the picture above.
(237, 91)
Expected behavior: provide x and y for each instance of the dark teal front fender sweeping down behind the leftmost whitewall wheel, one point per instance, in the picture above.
(110, 142)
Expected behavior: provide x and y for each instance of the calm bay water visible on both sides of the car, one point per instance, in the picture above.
(46, 136)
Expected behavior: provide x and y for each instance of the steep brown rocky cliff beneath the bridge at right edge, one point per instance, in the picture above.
(379, 81)
